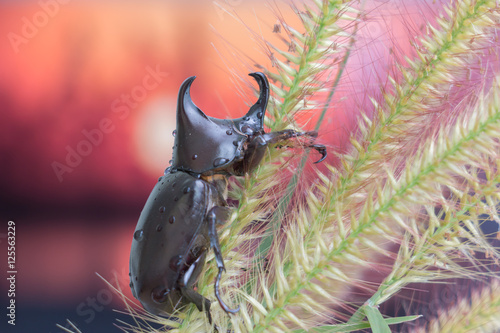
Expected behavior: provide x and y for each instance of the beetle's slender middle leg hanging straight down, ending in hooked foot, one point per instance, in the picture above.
(213, 215)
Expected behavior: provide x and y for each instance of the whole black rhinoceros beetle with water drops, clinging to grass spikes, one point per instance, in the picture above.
(177, 226)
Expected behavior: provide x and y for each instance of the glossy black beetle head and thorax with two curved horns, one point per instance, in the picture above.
(205, 143)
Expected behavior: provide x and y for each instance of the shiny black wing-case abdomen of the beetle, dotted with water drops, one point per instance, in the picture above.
(169, 238)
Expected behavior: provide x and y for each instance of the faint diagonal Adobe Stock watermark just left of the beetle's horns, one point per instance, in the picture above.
(120, 106)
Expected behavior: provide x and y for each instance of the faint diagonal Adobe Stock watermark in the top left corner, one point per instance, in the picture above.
(30, 27)
